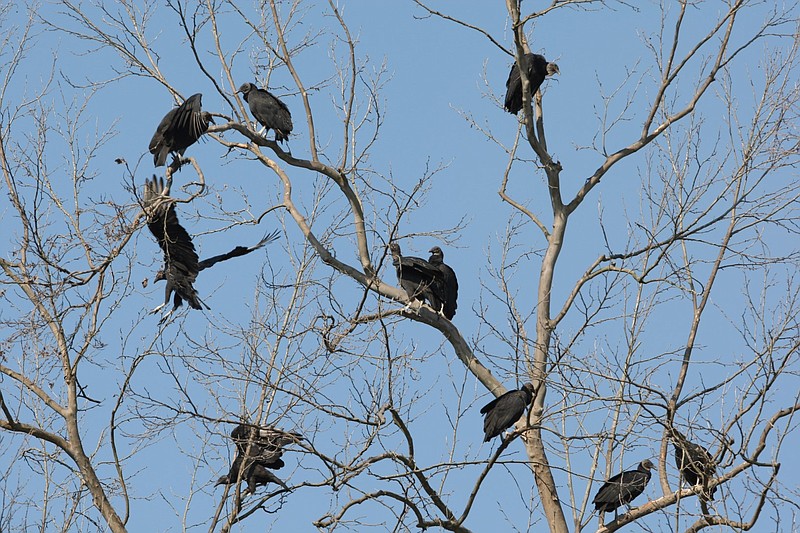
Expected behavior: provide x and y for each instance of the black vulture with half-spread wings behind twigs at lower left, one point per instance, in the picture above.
(257, 450)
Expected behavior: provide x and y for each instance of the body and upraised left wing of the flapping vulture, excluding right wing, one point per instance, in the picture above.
(180, 258)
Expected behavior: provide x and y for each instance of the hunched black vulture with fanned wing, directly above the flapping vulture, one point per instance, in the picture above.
(179, 129)
